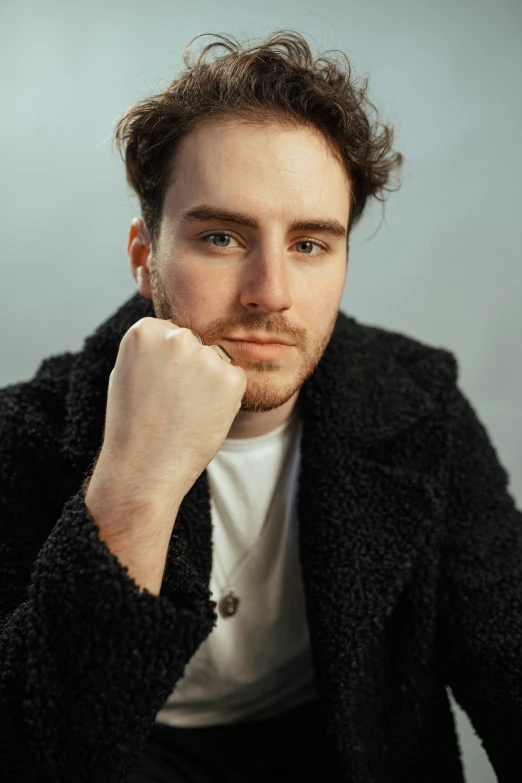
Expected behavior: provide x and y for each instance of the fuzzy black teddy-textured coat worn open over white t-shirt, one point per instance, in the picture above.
(411, 552)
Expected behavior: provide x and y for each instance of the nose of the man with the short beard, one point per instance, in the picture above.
(266, 286)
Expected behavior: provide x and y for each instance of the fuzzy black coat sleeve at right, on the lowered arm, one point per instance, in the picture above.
(481, 594)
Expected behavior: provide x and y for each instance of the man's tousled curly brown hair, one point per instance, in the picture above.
(278, 79)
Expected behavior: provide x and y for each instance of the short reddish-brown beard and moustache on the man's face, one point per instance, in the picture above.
(265, 389)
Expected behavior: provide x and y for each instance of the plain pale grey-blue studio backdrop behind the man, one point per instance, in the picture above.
(444, 266)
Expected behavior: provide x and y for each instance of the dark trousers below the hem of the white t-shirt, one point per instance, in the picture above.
(291, 747)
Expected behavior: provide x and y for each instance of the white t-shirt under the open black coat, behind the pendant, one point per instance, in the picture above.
(257, 662)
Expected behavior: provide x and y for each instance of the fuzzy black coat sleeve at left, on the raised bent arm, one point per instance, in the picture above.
(86, 658)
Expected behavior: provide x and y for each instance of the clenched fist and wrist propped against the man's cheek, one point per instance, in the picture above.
(170, 405)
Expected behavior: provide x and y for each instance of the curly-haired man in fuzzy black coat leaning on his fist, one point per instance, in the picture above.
(244, 536)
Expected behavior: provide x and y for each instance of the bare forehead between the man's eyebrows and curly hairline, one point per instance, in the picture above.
(258, 167)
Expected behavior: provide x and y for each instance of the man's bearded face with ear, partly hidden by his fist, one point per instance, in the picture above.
(251, 271)
